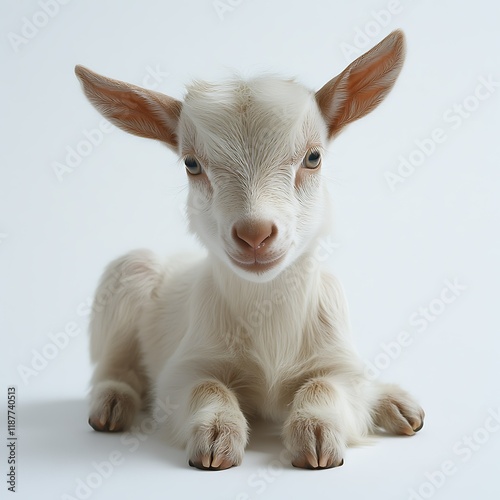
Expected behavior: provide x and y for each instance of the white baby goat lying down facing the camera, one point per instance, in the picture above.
(253, 151)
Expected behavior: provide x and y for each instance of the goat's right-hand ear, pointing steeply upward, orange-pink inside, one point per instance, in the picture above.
(363, 84)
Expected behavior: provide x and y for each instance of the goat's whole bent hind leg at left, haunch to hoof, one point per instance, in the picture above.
(120, 384)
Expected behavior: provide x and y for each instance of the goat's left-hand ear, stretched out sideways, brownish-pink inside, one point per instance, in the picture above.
(134, 109)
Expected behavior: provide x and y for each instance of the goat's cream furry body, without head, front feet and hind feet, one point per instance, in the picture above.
(194, 319)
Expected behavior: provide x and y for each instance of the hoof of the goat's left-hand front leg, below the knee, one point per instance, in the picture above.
(217, 446)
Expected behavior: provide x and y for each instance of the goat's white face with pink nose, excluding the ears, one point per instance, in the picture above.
(252, 152)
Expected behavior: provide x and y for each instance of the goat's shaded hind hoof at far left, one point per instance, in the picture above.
(114, 406)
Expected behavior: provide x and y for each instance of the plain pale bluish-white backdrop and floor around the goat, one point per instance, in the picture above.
(396, 247)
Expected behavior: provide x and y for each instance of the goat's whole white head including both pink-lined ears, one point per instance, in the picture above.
(253, 151)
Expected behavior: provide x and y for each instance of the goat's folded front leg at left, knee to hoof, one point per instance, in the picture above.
(218, 430)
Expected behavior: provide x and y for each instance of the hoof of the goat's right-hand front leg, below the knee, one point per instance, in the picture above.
(313, 443)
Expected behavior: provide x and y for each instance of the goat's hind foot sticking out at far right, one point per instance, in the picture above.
(396, 411)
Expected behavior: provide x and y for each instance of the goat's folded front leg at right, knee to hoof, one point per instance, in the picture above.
(321, 423)
